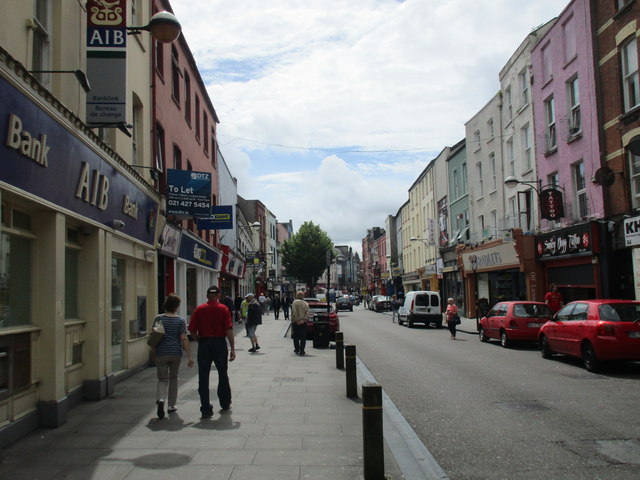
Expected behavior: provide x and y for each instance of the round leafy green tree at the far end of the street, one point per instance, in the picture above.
(304, 256)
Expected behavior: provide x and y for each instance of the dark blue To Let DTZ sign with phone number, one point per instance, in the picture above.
(188, 193)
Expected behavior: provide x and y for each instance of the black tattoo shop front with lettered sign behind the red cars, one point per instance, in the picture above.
(569, 257)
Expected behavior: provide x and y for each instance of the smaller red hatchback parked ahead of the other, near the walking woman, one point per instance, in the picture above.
(514, 321)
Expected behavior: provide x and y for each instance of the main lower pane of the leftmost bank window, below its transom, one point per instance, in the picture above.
(15, 280)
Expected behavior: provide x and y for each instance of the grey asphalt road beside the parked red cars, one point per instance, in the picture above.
(485, 412)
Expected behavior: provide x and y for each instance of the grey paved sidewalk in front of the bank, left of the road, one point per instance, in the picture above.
(290, 419)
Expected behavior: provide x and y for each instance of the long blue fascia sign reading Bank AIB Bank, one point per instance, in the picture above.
(40, 156)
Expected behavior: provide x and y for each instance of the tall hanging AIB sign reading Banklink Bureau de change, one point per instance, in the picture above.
(107, 62)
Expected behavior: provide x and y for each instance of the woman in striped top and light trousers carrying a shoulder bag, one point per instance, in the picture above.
(169, 354)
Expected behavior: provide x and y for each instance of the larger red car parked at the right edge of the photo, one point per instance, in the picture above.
(595, 331)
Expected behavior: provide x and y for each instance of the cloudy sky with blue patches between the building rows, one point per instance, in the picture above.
(330, 109)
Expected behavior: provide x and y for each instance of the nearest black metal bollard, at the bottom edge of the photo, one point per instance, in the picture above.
(372, 433)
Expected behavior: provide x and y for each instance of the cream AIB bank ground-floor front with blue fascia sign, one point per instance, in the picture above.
(78, 263)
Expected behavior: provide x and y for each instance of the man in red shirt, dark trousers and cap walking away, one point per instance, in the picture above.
(211, 326)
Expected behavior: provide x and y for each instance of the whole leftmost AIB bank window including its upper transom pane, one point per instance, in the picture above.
(15, 268)
